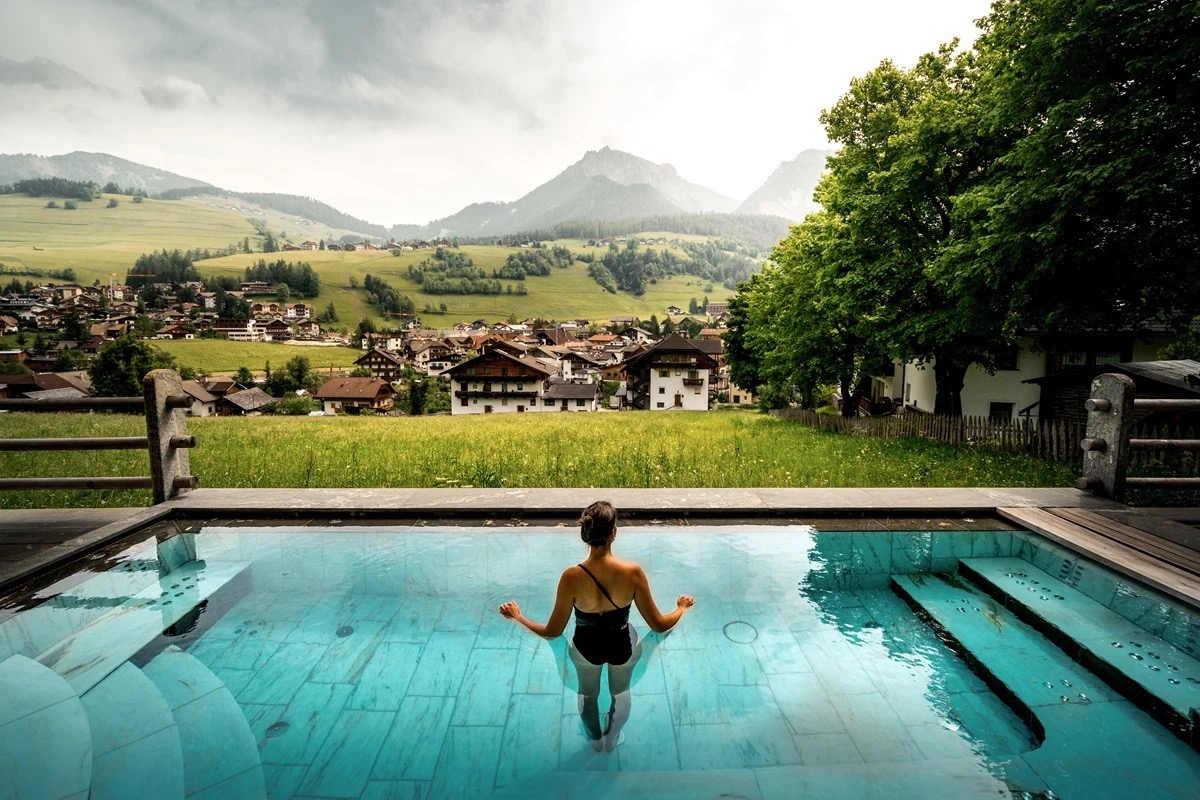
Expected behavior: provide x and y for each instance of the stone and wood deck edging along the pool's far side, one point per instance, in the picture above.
(1157, 546)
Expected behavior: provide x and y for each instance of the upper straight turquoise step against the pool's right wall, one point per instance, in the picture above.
(1157, 675)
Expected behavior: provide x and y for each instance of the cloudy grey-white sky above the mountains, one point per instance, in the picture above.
(406, 111)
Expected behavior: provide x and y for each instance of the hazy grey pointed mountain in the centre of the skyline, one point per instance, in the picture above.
(604, 185)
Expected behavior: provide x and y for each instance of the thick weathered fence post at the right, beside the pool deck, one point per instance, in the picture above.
(1107, 447)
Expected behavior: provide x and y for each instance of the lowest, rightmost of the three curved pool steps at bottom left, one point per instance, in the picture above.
(220, 754)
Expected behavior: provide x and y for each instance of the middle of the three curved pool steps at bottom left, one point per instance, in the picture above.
(136, 748)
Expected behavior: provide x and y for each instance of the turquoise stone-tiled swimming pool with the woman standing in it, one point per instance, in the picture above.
(340, 661)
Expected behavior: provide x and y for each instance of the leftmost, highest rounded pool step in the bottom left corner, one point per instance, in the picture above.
(45, 739)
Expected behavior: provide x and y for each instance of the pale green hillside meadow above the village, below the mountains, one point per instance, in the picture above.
(101, 244)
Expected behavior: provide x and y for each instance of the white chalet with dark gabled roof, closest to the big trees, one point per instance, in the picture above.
(673, 375)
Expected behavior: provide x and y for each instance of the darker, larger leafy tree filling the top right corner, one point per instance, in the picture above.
(1090, 219)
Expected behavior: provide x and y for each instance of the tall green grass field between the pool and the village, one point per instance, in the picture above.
(724, 449)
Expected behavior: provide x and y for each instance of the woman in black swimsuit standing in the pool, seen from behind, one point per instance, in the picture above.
(602, 590)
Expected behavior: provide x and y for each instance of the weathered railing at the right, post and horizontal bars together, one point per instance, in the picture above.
(1111, 443)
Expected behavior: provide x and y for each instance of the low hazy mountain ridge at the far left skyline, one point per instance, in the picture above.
(98, 167)
